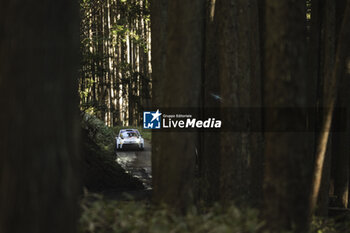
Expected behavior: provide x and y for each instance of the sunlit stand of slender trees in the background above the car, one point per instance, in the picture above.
(115, 76)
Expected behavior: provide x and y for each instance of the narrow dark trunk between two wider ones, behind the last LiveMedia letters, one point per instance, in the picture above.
(209, 163)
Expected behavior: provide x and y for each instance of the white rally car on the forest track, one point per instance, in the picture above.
(129, 138)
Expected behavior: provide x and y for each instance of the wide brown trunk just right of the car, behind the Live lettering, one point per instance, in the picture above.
(174, 163)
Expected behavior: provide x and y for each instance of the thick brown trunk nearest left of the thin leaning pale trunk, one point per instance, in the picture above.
(288, 154)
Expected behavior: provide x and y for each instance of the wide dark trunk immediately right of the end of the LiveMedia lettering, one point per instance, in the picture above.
(239, 78)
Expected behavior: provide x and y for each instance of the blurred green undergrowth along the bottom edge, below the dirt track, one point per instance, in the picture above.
(103, 216)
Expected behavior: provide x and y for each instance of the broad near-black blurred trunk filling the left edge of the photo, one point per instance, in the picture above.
(39, 126)
